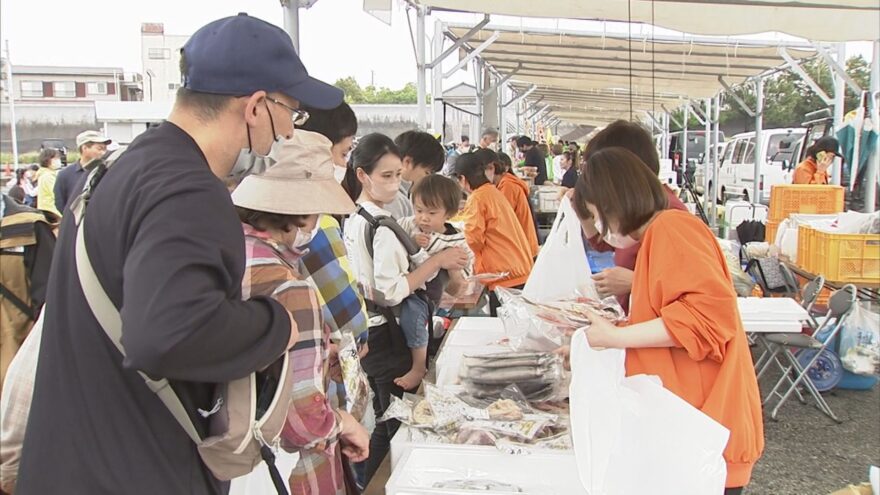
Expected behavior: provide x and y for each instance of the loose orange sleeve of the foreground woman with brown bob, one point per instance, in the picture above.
(697, 302)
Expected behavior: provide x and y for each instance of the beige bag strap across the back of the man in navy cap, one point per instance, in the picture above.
(106, 313)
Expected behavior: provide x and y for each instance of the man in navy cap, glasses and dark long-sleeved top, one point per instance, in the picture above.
(167, 247)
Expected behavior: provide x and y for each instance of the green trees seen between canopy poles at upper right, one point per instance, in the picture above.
(787, 98)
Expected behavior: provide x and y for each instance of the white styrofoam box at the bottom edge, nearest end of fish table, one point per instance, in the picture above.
(536, 474)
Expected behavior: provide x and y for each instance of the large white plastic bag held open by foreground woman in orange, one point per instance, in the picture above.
(631, 435)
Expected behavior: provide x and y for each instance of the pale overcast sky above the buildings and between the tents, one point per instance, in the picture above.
(337, 38)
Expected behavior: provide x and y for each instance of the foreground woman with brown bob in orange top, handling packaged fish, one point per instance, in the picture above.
(685, 325)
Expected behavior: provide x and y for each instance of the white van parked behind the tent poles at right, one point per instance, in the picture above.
(737, 170)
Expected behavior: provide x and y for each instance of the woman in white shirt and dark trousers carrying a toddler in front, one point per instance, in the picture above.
(383, 271)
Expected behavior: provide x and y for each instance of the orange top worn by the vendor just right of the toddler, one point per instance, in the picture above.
(496, 238)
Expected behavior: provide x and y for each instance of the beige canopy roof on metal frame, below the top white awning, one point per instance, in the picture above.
(592, 78)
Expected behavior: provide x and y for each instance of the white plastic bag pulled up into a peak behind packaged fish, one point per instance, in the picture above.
(562, 269)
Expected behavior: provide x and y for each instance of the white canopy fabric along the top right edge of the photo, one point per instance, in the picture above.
(818, 20)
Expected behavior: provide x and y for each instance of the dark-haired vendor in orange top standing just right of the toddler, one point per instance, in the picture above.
(491, 229)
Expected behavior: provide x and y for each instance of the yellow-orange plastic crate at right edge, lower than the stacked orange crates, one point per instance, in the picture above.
(845, 258)
